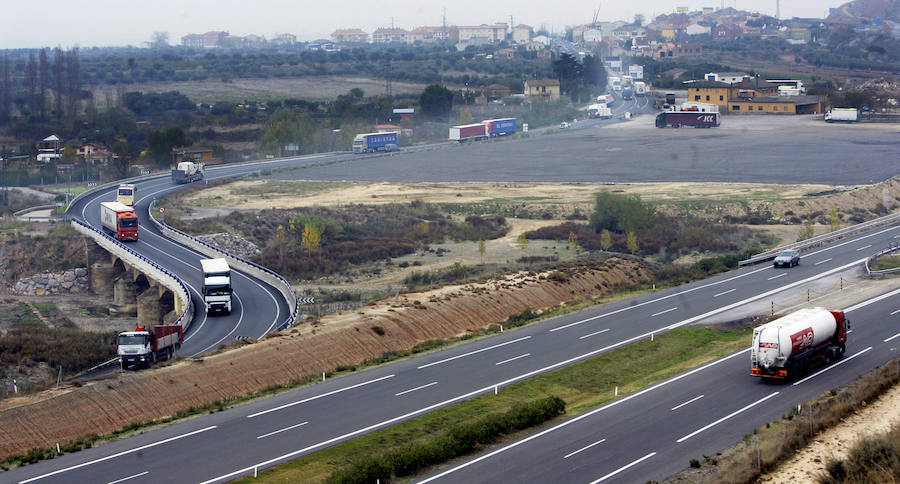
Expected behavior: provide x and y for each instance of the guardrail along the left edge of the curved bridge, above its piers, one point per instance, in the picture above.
(158, 272)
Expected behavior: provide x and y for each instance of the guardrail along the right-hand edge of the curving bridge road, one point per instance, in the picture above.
(269, 276)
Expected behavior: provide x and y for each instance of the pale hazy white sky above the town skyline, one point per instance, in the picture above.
(68, 23)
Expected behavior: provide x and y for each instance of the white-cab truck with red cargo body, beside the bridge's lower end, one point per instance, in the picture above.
(144, 347)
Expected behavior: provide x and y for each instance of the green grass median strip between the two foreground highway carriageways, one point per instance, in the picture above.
(581, 386)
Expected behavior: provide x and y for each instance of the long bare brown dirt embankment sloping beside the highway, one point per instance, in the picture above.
(298, 353)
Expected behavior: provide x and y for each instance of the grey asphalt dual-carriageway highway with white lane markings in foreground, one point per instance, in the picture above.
(218, 447)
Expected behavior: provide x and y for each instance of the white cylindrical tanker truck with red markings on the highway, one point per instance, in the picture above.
(786, 347)
